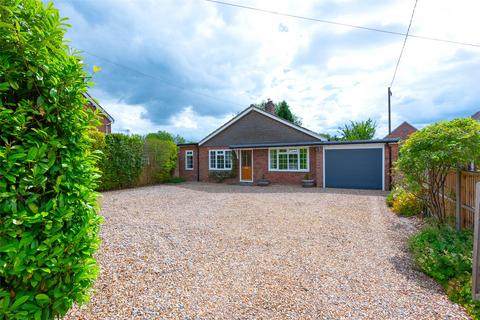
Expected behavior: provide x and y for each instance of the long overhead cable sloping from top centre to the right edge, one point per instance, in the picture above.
(341, 23)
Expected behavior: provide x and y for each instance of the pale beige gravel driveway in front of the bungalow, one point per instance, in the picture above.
(210, 251)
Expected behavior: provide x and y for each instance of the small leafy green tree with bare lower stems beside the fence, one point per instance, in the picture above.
(428, 155)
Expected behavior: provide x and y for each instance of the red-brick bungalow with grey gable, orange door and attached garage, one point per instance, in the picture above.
(257, 145)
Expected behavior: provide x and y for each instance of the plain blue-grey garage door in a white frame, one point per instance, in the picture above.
(354, 168)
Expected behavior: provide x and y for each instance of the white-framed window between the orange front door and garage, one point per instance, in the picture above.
(288, 159)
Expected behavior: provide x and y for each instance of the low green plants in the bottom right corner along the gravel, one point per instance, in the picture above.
(446, 255)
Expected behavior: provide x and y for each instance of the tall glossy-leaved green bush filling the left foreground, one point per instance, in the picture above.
(48, 209)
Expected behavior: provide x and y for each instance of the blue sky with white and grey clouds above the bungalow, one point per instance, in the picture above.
(187, 66)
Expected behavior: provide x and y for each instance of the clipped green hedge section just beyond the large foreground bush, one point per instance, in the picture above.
(123, 161)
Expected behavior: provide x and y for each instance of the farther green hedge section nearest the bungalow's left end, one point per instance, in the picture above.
(162, 158)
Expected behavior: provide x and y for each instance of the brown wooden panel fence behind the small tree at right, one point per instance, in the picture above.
(461, 208)
